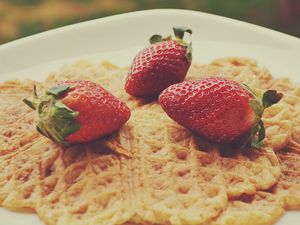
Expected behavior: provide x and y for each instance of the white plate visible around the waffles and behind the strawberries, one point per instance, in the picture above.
(118, 38)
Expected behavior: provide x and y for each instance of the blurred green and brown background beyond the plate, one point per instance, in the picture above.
(20, 18)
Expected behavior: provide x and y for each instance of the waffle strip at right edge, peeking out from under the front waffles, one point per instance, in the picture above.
(289, 183)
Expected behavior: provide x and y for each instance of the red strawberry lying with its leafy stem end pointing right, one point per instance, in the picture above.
(218, 109)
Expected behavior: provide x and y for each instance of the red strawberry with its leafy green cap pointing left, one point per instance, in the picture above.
(76, 111)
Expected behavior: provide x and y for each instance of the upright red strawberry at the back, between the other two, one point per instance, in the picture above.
(159, 65)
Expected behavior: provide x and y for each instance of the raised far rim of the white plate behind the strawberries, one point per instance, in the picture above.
(73, 40)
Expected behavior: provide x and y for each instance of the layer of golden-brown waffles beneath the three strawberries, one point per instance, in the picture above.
(174, 177)
